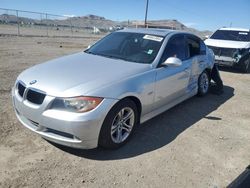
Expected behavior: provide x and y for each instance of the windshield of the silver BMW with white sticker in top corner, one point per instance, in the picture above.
(135, 47)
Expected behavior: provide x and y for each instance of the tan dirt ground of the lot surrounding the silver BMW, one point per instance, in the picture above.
(202, 142)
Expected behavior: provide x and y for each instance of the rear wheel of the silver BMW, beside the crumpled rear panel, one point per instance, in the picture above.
(203, 84)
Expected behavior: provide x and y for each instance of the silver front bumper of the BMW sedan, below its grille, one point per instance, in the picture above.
(78, 130)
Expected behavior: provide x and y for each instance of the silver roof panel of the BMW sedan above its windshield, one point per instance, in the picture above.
(152, 31)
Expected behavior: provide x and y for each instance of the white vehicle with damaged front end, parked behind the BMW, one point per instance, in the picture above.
(231, 47)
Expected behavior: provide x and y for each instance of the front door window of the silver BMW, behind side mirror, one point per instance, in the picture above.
(175, 48)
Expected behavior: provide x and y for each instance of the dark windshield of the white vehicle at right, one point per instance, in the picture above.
(231, 35)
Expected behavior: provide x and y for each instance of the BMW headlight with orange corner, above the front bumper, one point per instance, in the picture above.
(76, 104)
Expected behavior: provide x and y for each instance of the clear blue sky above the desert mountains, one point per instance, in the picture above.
(199, 14)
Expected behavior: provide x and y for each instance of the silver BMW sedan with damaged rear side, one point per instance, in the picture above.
(97, 97)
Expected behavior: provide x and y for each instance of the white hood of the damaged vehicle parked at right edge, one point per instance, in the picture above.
(227, 43)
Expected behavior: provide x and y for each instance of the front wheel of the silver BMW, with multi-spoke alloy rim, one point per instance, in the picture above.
(118, 125)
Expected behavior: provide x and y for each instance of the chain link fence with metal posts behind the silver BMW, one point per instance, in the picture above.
(27, 23)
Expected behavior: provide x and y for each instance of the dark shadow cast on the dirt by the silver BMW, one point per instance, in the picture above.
(162, 129)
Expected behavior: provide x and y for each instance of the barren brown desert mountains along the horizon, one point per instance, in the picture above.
(90, 21)
